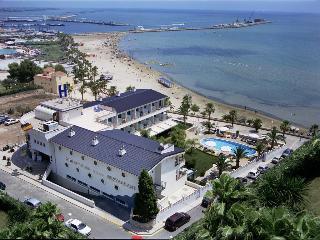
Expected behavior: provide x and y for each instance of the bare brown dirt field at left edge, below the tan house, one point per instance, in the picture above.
(23, 102)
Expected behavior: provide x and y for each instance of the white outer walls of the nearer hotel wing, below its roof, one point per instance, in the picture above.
(99, 178)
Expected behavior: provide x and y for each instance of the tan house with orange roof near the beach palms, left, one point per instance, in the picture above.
(50, 80)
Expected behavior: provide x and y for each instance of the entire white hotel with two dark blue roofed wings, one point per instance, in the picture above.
(100, 158)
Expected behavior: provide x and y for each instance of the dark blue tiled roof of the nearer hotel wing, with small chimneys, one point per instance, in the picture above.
(142, 153)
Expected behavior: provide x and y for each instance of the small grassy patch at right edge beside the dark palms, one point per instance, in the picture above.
(313, 197)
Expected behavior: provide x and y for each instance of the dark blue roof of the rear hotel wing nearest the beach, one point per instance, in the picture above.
(129, 100)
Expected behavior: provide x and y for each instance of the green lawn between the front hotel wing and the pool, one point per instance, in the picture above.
(202, 161)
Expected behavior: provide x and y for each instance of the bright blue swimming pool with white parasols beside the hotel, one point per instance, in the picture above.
(221, 144)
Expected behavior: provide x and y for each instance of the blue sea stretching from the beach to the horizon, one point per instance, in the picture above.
(272, 68)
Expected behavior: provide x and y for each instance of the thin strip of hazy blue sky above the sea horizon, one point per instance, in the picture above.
(256, 5)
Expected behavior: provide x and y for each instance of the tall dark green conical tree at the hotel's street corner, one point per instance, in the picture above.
(145, 202)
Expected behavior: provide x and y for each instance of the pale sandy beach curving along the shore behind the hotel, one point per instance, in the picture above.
(105, 54)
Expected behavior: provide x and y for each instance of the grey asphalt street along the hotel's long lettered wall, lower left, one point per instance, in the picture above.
(101, 228)
